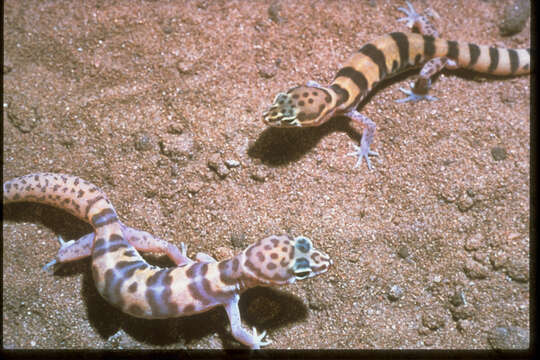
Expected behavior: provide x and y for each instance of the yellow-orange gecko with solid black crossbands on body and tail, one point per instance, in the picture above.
(389, 55)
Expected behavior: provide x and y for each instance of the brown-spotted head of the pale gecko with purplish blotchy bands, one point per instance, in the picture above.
(278, 260)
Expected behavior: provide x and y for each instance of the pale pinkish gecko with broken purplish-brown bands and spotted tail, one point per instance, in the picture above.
(142, 290)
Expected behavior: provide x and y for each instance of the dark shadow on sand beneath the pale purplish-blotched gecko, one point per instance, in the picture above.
(264, 308)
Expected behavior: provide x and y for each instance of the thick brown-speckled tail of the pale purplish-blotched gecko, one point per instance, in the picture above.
(70, 193)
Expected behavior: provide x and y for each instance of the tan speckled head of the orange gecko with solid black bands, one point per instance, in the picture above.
(301, 106)
